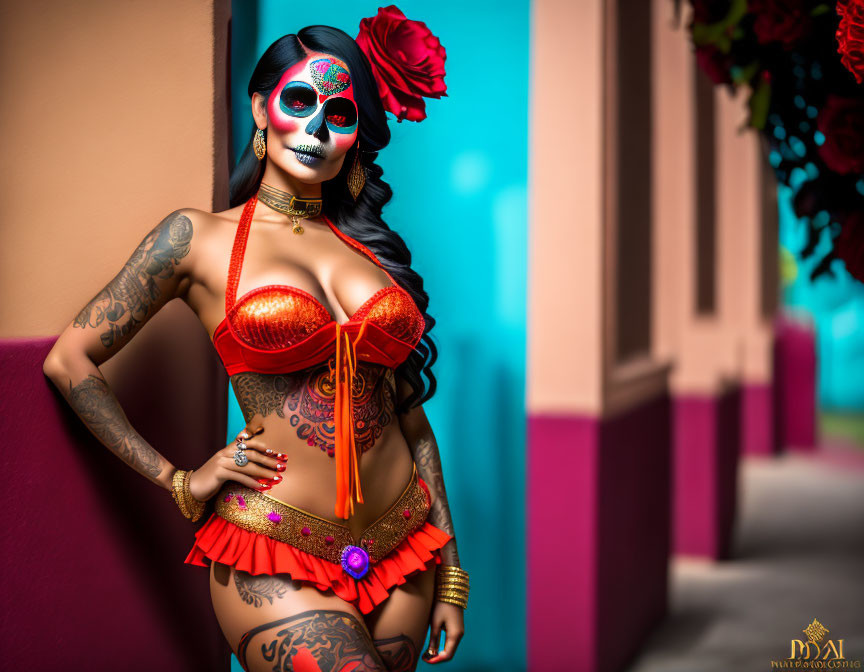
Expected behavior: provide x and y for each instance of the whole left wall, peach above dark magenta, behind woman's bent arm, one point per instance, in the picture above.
(114, 115)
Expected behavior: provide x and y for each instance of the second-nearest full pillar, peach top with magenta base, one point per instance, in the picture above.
(692, 326)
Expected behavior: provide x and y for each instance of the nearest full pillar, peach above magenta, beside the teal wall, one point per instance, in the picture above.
(598, 425)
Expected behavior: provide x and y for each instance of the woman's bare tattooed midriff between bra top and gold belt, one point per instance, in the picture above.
(296, 411)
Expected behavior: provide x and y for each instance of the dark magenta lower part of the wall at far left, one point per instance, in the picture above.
(93, 575)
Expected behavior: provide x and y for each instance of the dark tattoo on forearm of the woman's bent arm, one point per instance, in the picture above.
(97, 406)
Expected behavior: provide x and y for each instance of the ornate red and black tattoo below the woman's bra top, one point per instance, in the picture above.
(307, 399)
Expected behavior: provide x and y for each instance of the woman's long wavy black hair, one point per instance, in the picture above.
(360, 219)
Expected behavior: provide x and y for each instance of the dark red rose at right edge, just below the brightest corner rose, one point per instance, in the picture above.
(841, 121)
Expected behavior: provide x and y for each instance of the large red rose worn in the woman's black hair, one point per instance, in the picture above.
(407, 61)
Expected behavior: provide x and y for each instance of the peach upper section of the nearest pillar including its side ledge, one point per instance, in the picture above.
(574, 205)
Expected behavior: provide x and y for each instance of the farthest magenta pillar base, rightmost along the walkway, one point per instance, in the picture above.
(795, 374)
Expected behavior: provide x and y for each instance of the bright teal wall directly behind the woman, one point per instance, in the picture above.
(460, 181)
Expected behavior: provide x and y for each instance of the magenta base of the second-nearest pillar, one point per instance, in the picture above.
(706, 436)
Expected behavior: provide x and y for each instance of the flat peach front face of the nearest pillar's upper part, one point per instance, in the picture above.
(565, 283)
